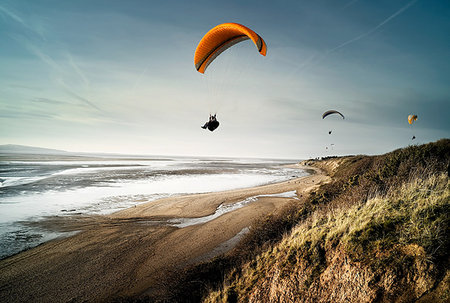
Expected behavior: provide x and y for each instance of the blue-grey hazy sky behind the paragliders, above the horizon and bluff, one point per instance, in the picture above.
(119, 77)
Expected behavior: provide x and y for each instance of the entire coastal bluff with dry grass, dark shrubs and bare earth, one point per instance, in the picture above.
(377, 232)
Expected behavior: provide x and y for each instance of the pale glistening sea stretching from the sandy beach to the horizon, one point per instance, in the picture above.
(37, 187)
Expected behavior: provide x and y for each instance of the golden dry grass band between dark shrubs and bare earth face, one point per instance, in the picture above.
(417, 213)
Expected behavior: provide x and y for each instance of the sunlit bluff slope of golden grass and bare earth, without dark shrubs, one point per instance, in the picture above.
(395, 242)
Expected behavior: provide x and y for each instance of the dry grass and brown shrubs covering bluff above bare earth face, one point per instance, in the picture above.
(377, 208)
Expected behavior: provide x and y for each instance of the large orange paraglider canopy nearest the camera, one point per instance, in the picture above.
(222, 37)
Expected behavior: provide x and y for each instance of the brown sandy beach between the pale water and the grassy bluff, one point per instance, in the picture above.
(131, 252)
